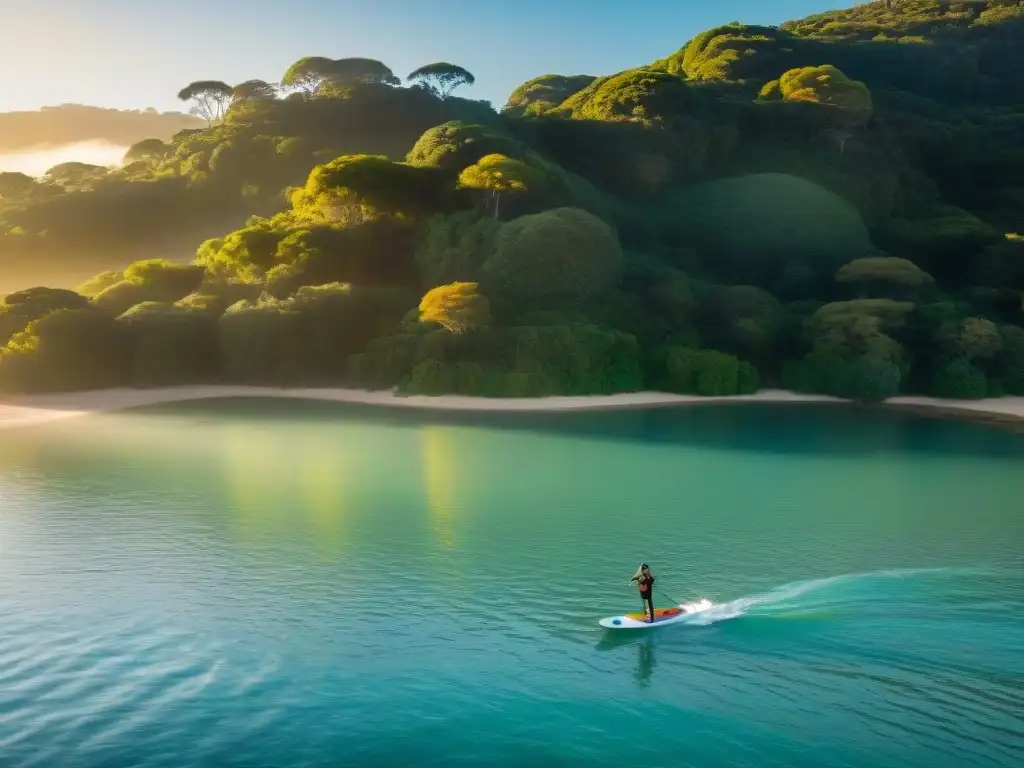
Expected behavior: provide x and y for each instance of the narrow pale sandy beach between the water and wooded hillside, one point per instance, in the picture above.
(34, 410)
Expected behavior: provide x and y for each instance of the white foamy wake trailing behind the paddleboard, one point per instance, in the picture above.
(816, 594)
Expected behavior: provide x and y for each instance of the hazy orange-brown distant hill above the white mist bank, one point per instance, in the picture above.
(69, 124)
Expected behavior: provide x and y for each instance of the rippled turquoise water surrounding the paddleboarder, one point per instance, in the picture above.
(266, 584)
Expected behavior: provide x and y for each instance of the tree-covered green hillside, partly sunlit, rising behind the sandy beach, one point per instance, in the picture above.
(829, 206)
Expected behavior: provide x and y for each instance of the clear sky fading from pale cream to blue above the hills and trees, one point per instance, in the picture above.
(139, 54)
